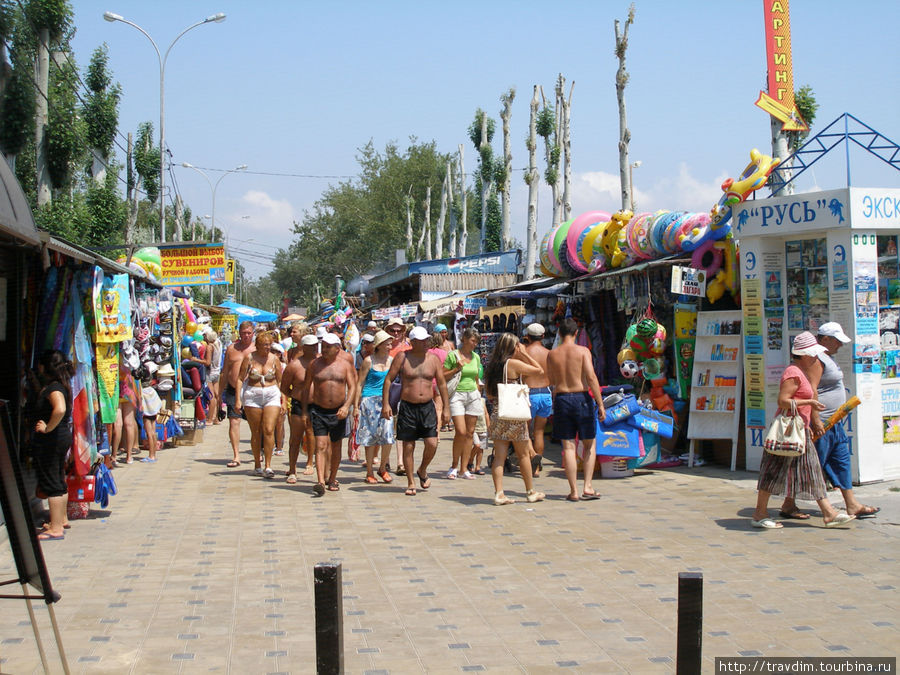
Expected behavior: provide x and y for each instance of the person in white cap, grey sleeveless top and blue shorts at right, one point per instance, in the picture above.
(832, 446)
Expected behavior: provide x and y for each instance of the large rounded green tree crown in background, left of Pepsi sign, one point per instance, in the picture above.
(358, 224)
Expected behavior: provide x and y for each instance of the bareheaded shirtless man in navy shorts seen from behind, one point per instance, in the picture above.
(571, 373)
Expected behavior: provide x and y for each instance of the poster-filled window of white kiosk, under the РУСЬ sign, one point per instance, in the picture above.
(807, 284)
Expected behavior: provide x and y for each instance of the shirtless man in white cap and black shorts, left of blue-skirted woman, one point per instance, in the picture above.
(328, 389)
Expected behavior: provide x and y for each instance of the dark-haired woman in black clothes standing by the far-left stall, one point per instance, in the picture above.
(52, 437)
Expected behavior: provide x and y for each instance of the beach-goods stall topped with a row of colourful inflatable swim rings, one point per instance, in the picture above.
(626, 294)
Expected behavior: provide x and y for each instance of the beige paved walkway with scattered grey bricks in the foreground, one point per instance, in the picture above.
(198, 568)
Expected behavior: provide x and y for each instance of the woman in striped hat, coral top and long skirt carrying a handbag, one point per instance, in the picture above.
(798, 477)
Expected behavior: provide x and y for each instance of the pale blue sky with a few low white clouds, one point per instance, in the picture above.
(294, 88)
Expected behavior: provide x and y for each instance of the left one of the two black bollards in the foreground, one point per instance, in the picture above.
(329, 619)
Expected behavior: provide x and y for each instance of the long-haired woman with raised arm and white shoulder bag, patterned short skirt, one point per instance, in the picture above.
(509, 425)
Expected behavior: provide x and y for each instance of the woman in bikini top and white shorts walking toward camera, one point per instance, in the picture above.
(262, 400)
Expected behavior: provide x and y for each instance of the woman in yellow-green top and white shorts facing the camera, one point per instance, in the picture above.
(465, 404)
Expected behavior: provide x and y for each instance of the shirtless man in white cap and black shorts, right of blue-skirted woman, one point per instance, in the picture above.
(416, 416)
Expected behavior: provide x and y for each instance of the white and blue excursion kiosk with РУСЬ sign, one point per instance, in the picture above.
(807, 259)
